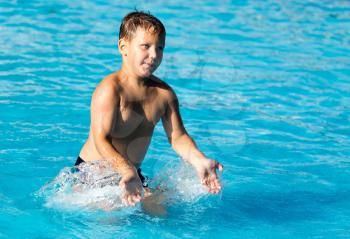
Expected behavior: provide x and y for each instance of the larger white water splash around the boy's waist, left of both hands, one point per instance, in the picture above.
(91, 185)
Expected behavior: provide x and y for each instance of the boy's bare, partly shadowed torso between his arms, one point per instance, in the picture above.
(133, 123)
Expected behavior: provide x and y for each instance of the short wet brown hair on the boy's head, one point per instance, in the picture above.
(136, 19)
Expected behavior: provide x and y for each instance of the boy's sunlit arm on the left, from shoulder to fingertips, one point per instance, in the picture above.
(103, 106)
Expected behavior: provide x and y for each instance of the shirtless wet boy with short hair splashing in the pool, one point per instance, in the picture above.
(127, 105)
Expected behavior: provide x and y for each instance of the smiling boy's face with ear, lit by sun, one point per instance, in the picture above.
(143, 53)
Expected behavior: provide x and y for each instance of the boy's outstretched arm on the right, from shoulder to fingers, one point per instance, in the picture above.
(186, 148)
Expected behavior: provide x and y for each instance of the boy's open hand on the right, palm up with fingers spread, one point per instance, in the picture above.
(206, 170)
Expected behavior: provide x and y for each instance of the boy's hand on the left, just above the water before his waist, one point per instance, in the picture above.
(131, 183)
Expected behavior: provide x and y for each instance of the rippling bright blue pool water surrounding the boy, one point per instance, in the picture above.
(264, 87)
